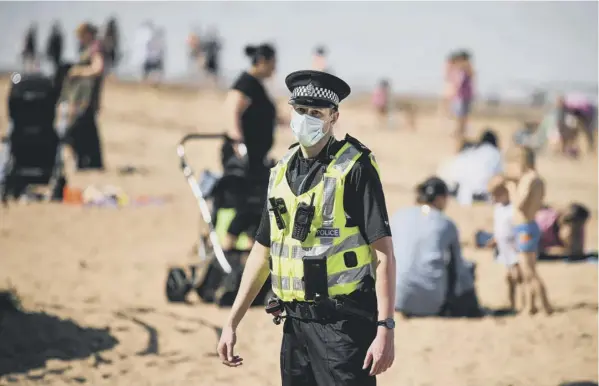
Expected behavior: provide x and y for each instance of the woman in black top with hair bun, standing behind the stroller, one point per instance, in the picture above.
(253, 118)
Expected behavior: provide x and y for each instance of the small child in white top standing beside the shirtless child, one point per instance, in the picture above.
(503, 239)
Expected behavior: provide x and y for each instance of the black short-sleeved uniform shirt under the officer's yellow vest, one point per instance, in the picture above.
(363, 198)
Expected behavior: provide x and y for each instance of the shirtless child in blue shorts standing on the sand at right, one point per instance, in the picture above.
(527, 190)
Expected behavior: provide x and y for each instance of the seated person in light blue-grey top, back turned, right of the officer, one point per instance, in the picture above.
(432, 276)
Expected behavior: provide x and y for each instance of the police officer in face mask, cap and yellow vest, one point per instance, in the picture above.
(323, 239)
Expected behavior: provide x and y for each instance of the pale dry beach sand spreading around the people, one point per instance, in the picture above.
(92, 279)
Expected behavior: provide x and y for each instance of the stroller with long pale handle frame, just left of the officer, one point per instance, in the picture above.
(216, 275)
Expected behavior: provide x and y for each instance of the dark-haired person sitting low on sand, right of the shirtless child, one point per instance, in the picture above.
(562, 231)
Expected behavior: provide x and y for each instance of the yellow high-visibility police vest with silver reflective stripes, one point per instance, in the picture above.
(349, 258)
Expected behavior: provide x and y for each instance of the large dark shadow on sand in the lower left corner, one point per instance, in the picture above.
(29, 339)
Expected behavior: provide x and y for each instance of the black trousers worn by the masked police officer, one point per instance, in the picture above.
(326, 353)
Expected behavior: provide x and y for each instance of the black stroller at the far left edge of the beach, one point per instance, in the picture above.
(33, 148)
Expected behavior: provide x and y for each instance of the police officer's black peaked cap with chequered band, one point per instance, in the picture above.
(316, 89)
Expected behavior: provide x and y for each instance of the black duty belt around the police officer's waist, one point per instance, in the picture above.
(326, 310)
